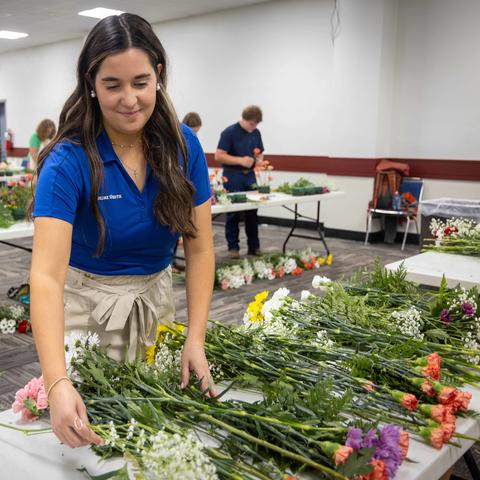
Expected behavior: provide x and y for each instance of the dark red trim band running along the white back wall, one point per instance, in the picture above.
(365, 167)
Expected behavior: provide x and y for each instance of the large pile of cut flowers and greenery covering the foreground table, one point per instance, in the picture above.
(338, 394)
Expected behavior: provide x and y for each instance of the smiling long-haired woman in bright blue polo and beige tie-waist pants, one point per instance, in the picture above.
(121, 180)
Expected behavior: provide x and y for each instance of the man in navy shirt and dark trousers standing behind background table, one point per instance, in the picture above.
(235, 152)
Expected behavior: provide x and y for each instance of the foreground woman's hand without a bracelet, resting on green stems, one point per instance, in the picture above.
(194, 360)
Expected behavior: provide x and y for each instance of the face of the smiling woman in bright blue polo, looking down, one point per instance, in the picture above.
(126, 90)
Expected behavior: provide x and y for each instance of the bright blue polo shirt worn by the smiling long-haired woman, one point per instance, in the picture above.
(136, 243)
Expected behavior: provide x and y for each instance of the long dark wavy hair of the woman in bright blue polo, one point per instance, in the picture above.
(81, 119)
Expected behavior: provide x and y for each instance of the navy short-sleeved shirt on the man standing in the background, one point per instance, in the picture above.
(238, 142)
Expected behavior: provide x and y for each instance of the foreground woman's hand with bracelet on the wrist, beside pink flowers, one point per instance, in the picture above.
(68, 417)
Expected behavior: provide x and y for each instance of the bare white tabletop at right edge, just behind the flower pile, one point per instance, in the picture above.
(428, 269)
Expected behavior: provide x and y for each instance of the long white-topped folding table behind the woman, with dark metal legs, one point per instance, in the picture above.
(254, 201)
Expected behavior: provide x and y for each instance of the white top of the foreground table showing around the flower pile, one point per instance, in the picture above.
(41, 456)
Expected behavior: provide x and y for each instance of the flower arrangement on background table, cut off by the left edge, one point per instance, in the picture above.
(14, 200)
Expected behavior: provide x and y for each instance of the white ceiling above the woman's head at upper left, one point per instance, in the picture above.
(48, 21)
